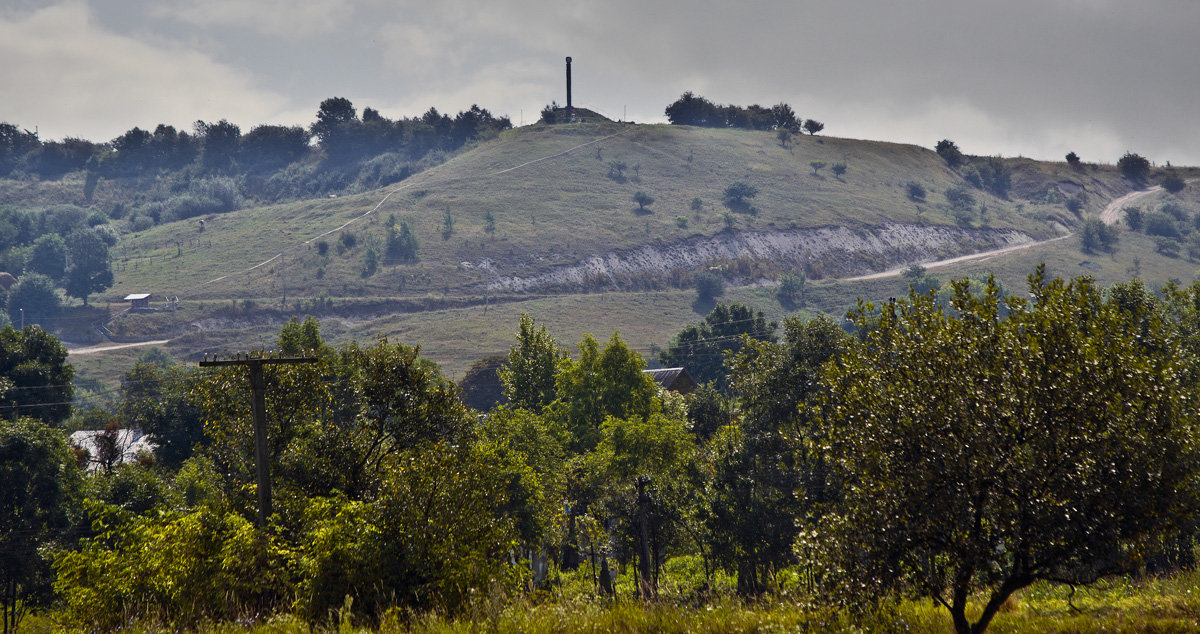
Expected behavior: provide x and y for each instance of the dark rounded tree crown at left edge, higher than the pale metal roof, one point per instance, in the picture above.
(35, 376)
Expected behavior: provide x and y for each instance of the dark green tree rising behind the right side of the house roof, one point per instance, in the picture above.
(701, 349)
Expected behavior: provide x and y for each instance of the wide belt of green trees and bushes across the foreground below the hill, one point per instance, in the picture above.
(957, 448)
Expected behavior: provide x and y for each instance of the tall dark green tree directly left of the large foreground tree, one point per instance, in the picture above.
(767, 480)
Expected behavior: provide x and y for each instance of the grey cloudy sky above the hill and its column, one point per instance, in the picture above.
(1033, 79)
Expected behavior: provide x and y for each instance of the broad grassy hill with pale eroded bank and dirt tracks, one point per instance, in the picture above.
(544, 220)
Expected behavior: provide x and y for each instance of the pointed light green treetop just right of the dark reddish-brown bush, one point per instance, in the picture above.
(529, 379)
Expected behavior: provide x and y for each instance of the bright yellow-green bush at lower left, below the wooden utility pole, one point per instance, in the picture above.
(176, 569)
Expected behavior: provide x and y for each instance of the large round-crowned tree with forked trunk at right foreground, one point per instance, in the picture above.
(981, 453)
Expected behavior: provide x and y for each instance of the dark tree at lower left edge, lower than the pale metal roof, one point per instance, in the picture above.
(39, 480)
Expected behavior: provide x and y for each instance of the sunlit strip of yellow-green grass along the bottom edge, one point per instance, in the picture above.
(1166, 605)
